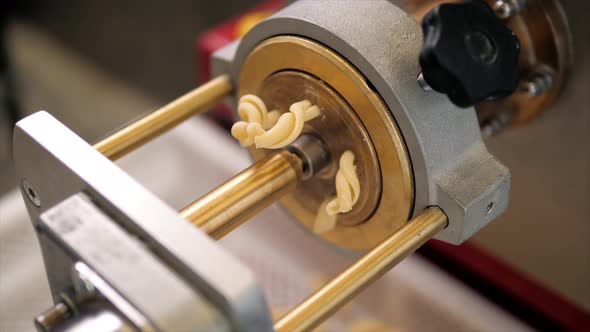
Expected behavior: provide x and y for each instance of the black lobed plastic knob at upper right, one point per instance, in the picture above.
(468, 53)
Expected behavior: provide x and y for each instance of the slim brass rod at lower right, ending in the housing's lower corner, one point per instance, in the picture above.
(318, 307)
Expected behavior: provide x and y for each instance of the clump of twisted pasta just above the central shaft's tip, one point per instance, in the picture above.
(255, 119)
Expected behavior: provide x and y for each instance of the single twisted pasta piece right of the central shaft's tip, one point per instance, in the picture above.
(347, 186)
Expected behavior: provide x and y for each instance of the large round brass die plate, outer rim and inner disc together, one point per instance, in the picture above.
(286, 68)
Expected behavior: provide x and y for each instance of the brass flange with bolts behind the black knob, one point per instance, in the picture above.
(545, 49)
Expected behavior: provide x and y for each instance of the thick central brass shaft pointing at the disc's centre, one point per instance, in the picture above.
(235, 201)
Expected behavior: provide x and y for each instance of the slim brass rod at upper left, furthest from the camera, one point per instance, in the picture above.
(165, 118)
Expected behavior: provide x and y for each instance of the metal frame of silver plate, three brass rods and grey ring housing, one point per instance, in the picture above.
(95, 220)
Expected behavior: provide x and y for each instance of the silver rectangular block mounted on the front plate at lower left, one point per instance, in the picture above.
(120, 262)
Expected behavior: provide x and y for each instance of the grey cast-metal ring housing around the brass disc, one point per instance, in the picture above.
(451, 165)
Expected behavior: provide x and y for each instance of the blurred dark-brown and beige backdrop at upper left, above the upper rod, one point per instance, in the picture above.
(95, 64)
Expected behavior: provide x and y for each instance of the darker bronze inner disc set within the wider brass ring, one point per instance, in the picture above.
(282, 89)
